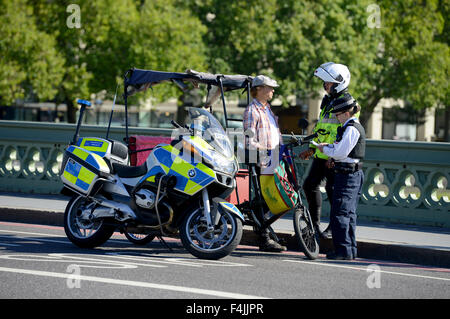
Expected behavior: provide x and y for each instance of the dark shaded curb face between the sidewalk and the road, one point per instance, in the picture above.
(366, 248)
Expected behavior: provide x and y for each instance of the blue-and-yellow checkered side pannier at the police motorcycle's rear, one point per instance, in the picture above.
(81, 169)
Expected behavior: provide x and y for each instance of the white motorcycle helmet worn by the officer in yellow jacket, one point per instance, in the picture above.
(334, 73)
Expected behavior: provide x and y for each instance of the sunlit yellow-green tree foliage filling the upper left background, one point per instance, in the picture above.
(113, 36)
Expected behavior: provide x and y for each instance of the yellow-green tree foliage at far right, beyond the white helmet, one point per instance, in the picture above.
(413, 60)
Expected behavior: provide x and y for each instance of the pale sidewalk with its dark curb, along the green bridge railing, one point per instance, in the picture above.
(376, 240)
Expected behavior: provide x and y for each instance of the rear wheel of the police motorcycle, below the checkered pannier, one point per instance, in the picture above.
(82, 231)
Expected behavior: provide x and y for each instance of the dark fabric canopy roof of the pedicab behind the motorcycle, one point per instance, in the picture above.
(137, 80)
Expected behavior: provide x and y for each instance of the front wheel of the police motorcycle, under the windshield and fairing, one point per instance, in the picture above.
(207, 243)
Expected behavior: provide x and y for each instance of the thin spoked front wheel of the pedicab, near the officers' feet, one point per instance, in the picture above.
(305, 234)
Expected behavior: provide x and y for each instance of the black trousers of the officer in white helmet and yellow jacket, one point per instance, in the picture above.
(318, 172)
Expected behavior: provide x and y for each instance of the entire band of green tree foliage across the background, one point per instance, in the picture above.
(394, 49)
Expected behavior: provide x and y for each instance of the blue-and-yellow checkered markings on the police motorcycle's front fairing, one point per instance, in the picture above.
(191, 177)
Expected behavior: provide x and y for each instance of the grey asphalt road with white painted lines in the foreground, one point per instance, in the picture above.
(38, 261)
